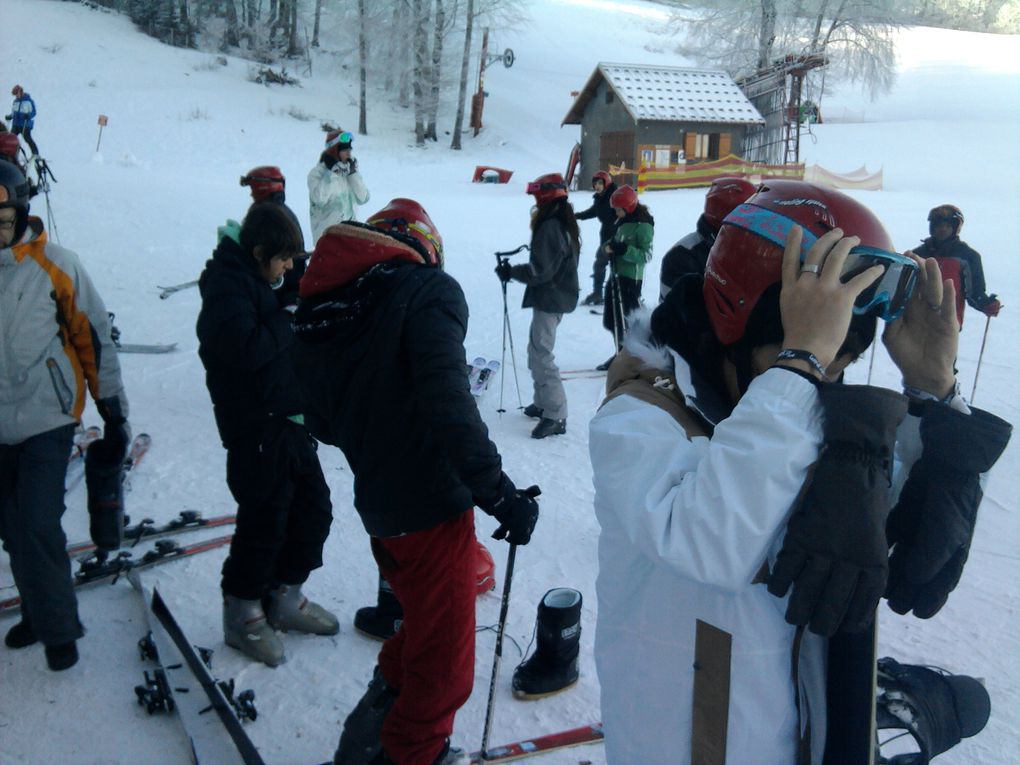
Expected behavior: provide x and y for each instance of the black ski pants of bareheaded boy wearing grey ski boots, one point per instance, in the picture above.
(284, 512)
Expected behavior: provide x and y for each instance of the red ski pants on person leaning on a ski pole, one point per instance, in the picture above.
(431, 659)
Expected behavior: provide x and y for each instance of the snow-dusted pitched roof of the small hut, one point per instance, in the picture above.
(670, 94)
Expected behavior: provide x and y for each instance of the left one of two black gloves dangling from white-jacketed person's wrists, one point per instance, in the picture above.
(835, 554)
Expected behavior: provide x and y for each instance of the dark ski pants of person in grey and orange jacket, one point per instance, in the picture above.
(32, 503)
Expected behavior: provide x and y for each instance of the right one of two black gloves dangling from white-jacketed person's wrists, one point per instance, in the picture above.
(933, 524)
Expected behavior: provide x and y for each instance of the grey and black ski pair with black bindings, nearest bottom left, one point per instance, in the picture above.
(212, 740)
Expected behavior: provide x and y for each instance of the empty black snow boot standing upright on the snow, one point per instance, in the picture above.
(553, 667)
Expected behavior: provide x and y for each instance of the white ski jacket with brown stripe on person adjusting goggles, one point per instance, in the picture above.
(688, 523)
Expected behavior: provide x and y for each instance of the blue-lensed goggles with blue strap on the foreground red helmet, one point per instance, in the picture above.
(886, 298)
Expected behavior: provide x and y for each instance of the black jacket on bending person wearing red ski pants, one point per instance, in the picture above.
(382, 363)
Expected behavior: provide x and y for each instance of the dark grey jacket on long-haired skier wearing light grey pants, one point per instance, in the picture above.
(551, 274)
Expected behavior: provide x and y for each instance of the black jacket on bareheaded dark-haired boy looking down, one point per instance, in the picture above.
(246, 345)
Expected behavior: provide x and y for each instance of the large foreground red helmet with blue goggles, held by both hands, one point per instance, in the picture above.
(747, 258)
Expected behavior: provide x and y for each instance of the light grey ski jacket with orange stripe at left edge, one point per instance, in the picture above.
(55, 339)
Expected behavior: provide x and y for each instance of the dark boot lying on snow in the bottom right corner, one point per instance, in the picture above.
(938, 709)
